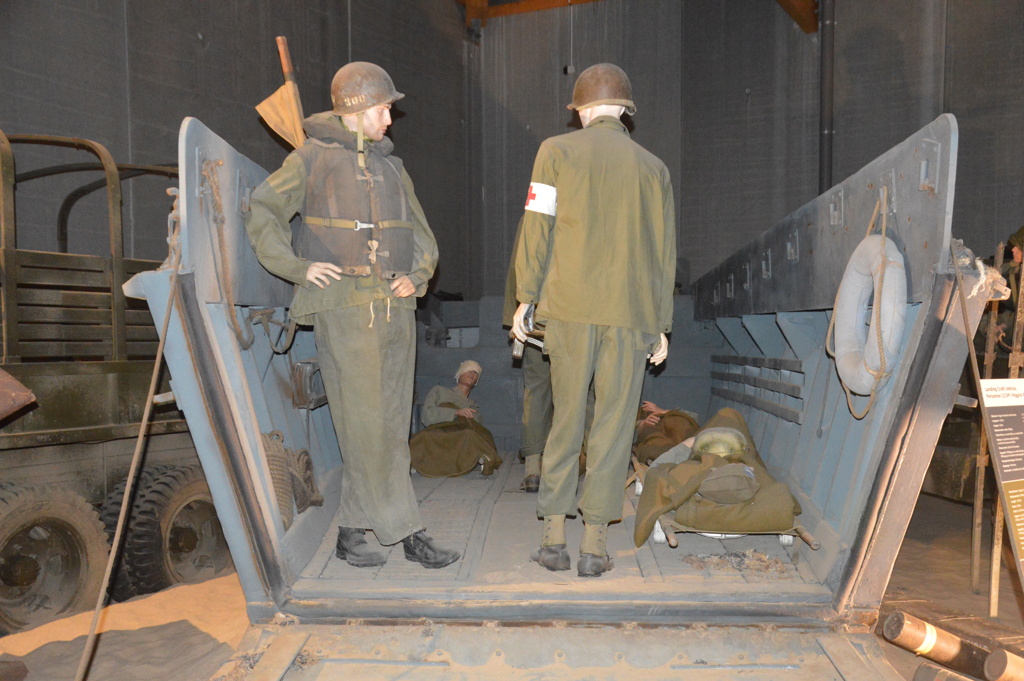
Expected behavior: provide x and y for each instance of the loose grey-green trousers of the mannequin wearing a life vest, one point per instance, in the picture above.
(368, 376)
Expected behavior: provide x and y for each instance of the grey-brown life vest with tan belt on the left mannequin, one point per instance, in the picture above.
(359, 221)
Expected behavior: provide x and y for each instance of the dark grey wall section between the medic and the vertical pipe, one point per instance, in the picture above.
(750, 125)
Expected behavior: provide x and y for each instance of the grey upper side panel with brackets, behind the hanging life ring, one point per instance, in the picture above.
(814, 243)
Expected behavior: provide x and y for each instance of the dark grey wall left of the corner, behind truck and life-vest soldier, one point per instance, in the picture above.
(125, 74)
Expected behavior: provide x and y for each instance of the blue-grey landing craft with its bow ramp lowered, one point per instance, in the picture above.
(753, 337)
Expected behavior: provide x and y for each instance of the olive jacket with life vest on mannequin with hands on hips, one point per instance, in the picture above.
(334, 206)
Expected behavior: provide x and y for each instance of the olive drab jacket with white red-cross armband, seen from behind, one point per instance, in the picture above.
(594, 250)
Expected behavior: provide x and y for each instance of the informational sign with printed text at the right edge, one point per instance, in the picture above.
(1004, 409)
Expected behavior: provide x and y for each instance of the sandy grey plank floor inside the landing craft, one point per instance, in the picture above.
(494, 525)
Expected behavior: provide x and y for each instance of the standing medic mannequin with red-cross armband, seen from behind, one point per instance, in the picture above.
(598, 257)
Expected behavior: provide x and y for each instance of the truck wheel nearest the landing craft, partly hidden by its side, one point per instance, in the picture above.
(176, 536)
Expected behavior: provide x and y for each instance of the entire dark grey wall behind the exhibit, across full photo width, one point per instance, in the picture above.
(728, 96)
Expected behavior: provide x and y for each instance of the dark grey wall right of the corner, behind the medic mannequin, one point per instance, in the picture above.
(736, 108)
